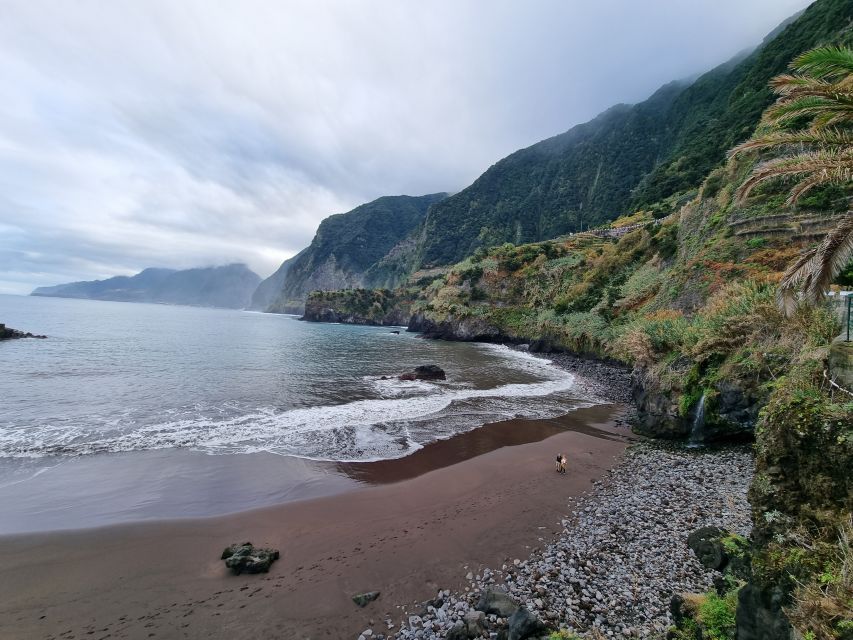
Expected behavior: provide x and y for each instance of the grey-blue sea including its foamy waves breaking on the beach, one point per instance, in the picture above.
(122, 379)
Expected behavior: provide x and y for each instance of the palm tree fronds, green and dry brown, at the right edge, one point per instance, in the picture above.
(810, 129)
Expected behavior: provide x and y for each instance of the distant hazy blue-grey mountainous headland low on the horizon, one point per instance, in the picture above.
(230, 286)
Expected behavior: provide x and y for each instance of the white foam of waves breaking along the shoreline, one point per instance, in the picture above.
(407, 415)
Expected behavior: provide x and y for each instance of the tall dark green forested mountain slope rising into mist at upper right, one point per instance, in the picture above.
(630, 156)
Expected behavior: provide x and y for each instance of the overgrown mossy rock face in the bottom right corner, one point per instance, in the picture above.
(801, 495)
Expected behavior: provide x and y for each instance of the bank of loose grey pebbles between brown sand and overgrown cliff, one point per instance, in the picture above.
(621, 555)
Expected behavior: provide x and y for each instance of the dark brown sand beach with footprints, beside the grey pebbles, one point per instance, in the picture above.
(420, 527)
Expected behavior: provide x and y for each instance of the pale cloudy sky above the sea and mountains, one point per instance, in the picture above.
(192, 133)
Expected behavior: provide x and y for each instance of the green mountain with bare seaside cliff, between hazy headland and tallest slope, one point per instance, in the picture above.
(348, 251)
